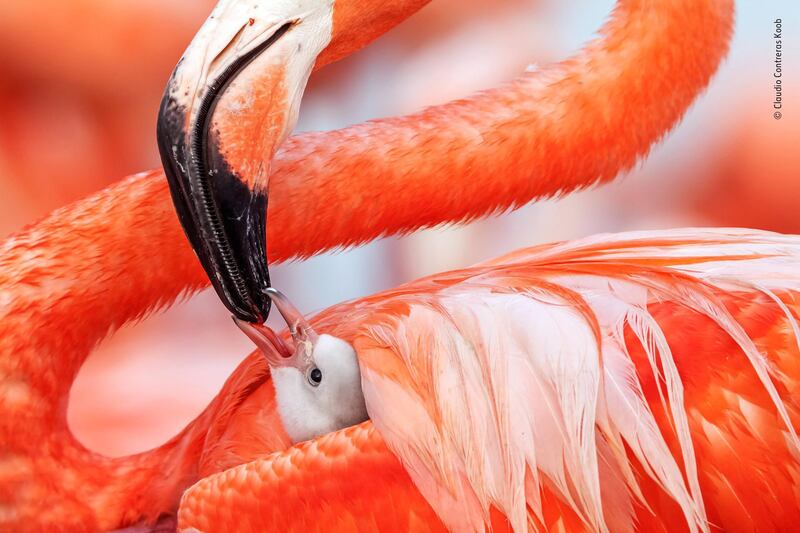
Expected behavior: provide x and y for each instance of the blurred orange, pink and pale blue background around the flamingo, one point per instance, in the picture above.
(80, 82)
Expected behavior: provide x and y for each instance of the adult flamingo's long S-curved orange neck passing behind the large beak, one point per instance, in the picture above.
(87, 269)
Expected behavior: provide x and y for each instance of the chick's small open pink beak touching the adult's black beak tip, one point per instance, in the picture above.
(299, 351)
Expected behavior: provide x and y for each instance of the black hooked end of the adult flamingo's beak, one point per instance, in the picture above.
(224, 220)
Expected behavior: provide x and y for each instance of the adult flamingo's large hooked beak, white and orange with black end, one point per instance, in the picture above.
(230, 103)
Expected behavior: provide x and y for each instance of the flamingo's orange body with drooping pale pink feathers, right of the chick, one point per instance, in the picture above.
(633, 382)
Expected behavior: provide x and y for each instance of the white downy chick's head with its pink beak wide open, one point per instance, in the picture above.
(316, 377)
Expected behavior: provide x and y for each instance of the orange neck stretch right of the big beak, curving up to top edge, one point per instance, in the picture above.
(564, 127)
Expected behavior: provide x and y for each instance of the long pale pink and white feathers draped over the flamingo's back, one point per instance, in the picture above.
(539, 369)
